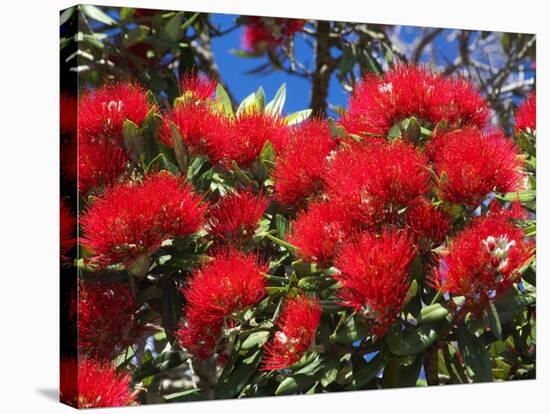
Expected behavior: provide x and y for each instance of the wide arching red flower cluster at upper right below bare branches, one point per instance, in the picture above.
(378, 102)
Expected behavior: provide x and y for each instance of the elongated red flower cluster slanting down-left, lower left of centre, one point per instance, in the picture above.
(217, 293)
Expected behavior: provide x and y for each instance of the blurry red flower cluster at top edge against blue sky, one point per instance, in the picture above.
(265, 33)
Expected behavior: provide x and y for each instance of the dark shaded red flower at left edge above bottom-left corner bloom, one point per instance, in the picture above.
(108, 320)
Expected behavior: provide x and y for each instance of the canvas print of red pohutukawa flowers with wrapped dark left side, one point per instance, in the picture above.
(263, 206)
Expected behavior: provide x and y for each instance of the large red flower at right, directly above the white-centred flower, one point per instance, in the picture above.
(472, 163)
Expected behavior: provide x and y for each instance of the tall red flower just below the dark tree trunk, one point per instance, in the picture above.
(297, 173)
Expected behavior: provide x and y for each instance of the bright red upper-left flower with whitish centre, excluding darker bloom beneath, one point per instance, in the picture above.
(102, 111)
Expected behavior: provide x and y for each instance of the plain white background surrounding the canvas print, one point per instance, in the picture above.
(29, 204)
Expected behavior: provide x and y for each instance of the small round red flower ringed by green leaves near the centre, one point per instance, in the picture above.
(235, 217)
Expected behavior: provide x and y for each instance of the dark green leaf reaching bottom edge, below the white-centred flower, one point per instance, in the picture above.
(475, 355)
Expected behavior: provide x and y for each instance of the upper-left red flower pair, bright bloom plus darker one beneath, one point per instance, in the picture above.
(102, 157)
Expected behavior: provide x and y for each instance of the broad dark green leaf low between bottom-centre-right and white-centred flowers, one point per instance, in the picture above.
(412, 342)
